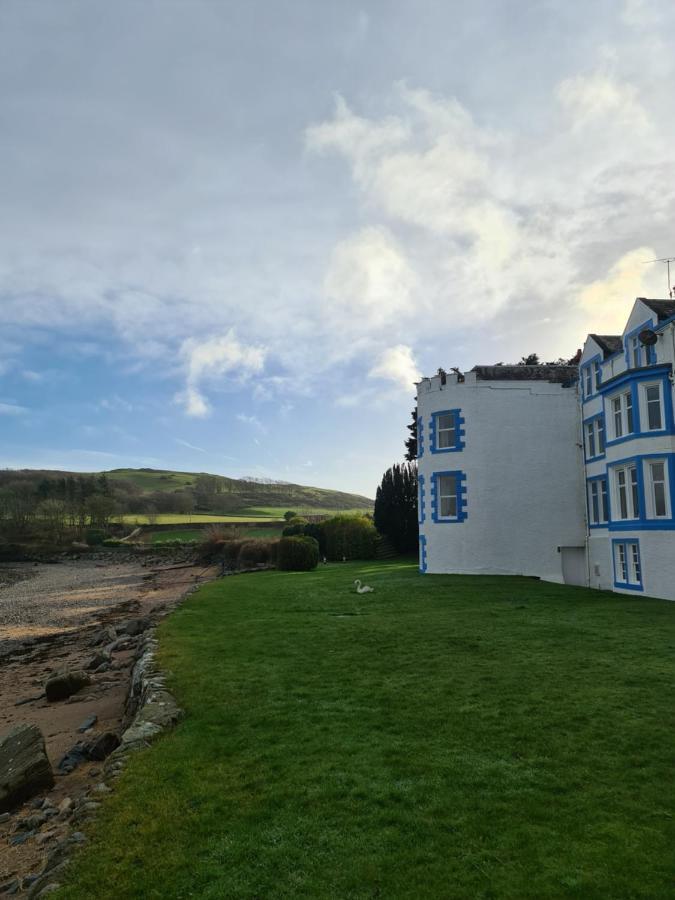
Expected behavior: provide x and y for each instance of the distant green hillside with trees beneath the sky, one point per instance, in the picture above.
(165, 491)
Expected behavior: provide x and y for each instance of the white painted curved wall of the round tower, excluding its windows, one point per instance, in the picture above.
(524, 477)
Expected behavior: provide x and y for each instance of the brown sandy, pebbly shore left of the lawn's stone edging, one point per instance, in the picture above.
(49, 617)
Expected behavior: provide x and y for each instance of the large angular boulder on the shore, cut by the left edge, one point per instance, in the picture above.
(24, 767)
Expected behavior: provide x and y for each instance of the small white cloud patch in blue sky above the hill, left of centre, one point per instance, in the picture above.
(212, 359)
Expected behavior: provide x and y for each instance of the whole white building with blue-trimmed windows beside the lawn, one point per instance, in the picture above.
(551, 471)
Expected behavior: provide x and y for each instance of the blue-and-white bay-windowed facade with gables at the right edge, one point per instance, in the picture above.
(626, 387)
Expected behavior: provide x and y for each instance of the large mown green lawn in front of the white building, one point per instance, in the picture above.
(444, 737)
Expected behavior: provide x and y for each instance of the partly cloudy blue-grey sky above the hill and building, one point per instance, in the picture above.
(234, 234)
